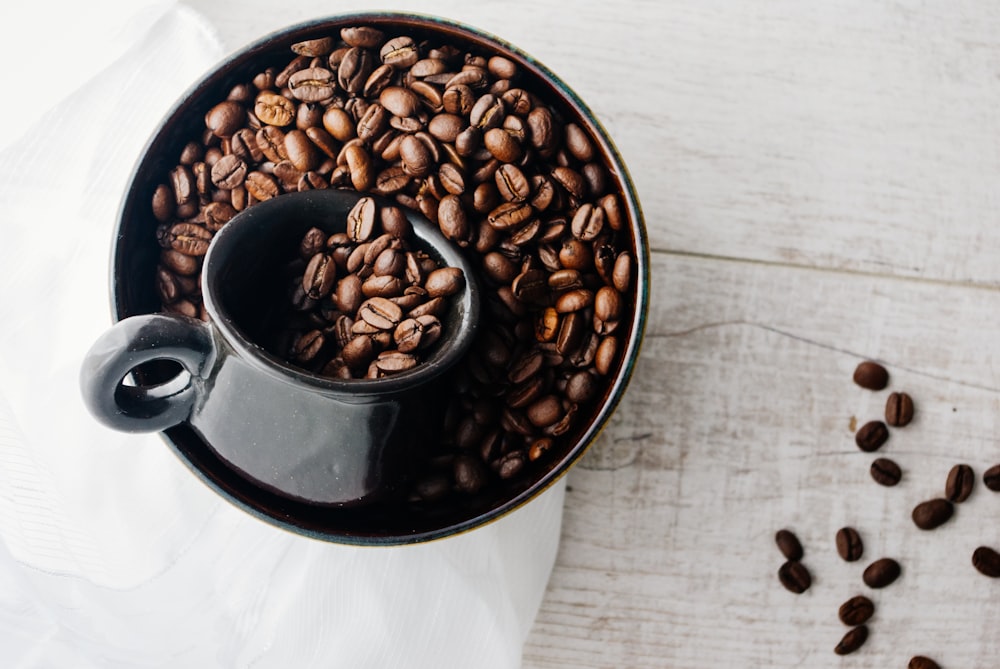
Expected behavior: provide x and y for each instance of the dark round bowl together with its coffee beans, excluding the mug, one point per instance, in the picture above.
(487, 144)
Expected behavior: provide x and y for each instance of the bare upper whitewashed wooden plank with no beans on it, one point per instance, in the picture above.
(857, 135)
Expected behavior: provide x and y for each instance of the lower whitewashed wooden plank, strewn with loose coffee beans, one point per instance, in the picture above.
(738, 423)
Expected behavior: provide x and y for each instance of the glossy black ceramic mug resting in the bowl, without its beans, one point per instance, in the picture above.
(304, 436)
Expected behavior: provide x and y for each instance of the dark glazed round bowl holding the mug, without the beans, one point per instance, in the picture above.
(135, 255)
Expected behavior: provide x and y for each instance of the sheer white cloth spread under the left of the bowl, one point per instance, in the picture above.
(112, 554)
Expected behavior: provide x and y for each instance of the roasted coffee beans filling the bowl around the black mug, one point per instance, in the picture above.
(472, 142)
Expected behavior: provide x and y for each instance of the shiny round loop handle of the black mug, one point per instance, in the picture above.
(132, 342)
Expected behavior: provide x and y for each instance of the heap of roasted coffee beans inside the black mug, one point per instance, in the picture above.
(367, 303)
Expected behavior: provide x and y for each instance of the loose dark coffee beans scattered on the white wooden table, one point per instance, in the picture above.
(927, 515)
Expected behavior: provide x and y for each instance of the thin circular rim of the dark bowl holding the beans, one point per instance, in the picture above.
(277, 512)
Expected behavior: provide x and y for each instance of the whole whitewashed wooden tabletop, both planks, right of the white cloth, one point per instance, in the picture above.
(821, 184)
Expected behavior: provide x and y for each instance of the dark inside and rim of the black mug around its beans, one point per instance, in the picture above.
(245, 287)
